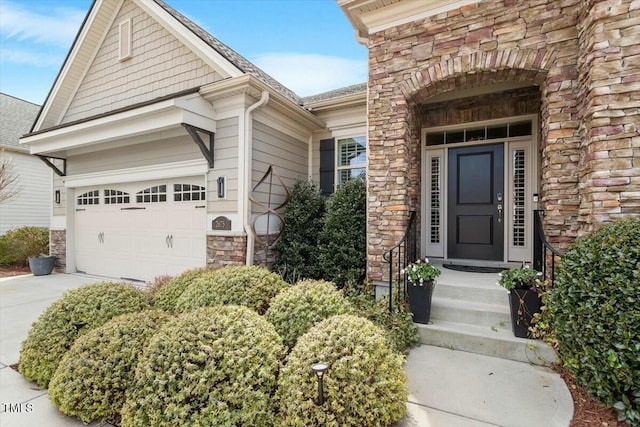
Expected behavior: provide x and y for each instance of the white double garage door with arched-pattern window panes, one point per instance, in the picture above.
(141, 230)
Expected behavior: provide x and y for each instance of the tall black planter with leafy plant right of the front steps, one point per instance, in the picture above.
(524, 286)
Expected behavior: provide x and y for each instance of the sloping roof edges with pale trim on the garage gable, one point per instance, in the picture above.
(99, 19)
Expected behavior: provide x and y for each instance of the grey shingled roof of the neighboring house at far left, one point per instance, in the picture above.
(17, 116)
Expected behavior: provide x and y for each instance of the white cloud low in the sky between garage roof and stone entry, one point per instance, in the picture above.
(311, 74)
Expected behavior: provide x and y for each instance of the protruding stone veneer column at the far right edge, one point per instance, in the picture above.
(609, 78)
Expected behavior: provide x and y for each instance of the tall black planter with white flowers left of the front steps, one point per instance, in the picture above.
(421, 281)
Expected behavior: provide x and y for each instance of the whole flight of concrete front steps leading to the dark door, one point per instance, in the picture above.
(471, 313)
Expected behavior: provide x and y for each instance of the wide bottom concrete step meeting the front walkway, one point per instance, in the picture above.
(489, 341)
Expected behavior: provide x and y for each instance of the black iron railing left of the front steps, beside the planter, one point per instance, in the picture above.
(401, 255)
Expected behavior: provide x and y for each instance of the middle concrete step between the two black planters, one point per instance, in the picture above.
(470, 312)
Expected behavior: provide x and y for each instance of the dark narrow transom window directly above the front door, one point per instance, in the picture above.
(480, 133)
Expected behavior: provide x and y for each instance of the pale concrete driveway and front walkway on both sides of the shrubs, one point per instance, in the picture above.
(447, 388)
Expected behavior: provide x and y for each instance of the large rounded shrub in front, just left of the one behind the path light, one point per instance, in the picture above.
(214, 366)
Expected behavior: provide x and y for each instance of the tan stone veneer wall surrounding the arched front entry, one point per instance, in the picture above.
(547, 43)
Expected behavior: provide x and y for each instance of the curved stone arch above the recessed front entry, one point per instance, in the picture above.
(478, 68)
